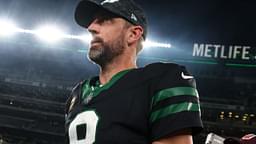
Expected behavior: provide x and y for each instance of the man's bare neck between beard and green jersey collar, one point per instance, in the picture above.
(119, 64)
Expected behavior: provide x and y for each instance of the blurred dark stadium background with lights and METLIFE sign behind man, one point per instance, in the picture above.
(43, 55)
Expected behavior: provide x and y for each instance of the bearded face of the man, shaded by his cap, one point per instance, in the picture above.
(108, 40)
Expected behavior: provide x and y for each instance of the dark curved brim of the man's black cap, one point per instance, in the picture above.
(84, 12)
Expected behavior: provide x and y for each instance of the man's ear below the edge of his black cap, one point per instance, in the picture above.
(134, 34)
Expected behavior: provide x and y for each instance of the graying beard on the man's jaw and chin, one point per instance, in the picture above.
(106, 52)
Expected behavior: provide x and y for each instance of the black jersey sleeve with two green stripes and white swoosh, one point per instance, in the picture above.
(174, 103)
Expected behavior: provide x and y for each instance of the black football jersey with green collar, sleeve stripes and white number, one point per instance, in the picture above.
(137, 107)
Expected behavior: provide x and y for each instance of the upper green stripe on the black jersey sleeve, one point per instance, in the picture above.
(176, 91)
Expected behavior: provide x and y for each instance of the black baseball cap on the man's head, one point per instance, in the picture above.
(126, 9)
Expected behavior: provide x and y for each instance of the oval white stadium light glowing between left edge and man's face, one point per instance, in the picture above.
(49, 33)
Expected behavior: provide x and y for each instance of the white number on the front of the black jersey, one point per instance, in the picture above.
(90, 119)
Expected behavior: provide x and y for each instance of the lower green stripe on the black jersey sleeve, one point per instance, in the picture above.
(172, 109)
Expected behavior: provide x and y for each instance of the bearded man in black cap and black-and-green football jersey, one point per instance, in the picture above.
(157, 104)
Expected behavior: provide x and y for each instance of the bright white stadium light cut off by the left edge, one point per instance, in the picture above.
(7, 28)
